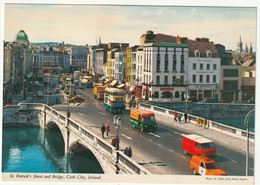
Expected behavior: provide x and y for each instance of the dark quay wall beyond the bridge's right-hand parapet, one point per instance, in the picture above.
(209, 110)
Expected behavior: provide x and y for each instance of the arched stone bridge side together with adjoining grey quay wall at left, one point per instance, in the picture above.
(75, 136)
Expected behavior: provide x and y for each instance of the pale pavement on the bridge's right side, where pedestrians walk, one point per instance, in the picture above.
(227, 140)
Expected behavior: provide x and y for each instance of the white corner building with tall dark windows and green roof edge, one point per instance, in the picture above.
(165, 68)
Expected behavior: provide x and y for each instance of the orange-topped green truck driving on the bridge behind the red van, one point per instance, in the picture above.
(143, 120)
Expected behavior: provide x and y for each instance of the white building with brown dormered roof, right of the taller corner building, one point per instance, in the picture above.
(204, 69)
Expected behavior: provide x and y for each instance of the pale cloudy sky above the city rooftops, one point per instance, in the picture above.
(84, 24)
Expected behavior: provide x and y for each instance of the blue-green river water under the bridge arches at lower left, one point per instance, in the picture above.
(33, 150)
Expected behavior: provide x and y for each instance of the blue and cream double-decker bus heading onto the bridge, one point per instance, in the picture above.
(114, 100)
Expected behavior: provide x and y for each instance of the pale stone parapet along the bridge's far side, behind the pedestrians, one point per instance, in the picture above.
(236, 132)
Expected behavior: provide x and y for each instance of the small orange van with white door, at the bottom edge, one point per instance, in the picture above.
(205, 166)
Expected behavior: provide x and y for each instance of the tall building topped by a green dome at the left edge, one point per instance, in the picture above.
(17, 65)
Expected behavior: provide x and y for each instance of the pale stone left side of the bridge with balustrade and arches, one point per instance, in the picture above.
(110, 159)
